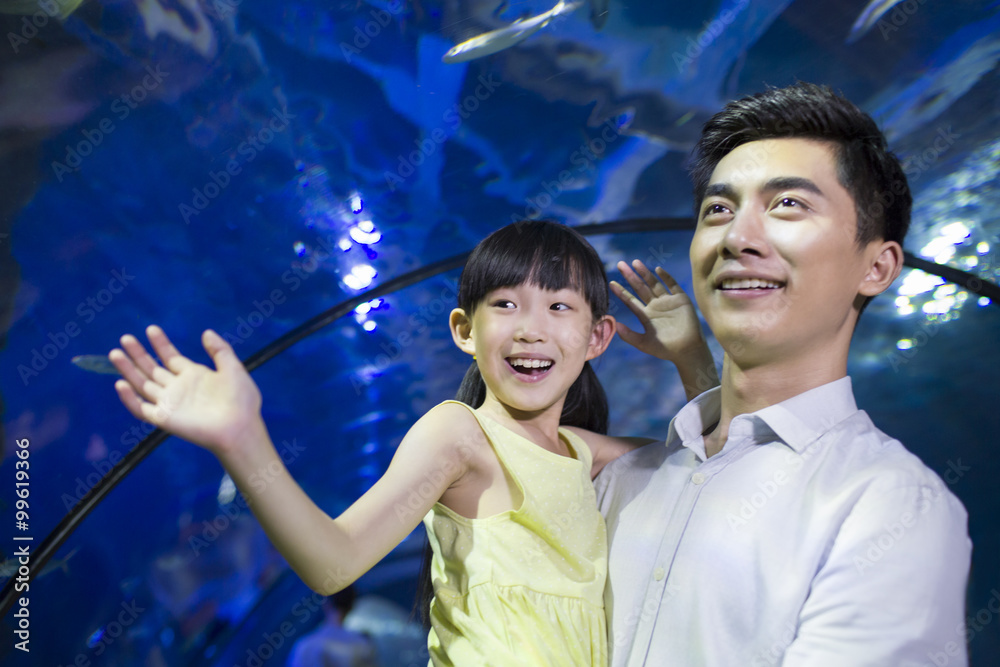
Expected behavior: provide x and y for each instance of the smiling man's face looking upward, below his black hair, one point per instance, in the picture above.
(775, 265)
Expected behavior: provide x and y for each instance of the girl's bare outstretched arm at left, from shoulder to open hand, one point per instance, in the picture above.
(220, 410)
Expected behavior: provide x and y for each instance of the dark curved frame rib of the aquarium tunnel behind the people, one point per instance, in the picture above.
(75, 516)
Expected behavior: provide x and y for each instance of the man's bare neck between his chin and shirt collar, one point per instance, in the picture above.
(749, 387)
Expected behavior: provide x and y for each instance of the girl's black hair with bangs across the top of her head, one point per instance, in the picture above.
(543, 254)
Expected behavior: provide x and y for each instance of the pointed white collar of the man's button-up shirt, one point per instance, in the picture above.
(797, 421)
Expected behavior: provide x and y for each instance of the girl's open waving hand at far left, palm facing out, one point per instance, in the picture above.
(211, 408)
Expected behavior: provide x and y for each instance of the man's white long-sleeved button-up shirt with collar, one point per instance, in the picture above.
(812, 539)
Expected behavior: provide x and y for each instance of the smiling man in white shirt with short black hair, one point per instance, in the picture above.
(778, 526)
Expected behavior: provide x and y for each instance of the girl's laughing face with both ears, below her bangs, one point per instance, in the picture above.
(531, 344)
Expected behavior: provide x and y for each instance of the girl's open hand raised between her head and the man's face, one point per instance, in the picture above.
(670, 323)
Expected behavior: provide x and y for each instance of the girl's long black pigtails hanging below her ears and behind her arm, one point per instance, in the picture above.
(586, 406)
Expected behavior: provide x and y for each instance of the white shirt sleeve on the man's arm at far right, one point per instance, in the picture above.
(892, 588)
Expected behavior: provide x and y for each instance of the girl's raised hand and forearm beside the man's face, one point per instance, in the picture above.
(671, 328)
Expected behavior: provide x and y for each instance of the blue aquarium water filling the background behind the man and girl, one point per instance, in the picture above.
(245, 166)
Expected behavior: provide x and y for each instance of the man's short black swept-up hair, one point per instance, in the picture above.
(866, 167)
